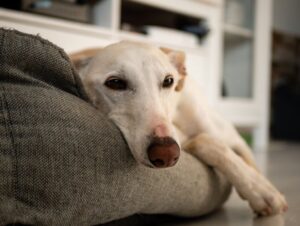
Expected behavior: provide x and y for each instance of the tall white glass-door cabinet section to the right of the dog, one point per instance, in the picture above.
(245, 63)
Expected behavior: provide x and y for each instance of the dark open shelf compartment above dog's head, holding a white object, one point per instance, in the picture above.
(160, 24)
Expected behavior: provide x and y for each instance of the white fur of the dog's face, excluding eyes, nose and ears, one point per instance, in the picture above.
(138, 111)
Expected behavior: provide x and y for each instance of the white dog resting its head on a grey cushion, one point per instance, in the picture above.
(160, 111)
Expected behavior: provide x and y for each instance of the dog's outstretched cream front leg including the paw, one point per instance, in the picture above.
(262, 196)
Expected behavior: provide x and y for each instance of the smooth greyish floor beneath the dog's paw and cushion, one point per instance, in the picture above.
(282, 167)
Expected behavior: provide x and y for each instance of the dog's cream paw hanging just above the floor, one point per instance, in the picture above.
(263, 197)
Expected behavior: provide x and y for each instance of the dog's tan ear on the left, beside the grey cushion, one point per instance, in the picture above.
(81, 59)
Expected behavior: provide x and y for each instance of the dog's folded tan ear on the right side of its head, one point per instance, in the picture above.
(177, 58)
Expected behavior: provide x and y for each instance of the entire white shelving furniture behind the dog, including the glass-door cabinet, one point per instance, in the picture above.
(205, 62)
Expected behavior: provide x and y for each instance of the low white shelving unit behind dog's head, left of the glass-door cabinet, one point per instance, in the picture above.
(73, 36)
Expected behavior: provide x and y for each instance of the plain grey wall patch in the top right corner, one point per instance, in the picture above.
(286, 16)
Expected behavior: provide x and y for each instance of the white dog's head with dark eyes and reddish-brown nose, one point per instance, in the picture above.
(137, 86)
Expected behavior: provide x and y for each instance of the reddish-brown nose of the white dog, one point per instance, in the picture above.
(163, 152)
